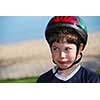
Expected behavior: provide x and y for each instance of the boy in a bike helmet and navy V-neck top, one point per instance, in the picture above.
(67, 37)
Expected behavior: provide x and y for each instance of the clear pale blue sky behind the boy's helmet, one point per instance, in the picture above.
(18, 28)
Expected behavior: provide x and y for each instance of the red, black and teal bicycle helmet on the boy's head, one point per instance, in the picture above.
(74, 22)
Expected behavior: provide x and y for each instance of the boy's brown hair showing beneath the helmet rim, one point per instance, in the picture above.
(64, 35)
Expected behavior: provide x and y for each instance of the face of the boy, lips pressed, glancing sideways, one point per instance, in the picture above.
(63, 54)
